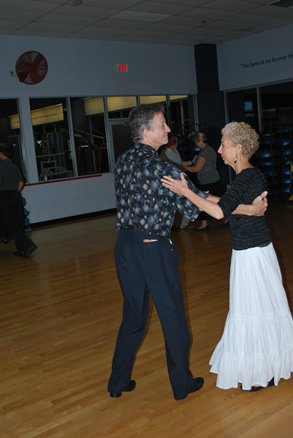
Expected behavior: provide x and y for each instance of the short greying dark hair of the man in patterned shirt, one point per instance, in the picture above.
(141, 117)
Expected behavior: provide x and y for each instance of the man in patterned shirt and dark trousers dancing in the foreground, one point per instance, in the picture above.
(146, 258)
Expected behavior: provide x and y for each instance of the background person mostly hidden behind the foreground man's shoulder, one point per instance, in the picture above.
(171, 155)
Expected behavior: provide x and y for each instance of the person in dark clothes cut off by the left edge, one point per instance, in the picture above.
(11, 207)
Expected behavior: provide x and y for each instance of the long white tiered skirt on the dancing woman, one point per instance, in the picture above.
(257, 342)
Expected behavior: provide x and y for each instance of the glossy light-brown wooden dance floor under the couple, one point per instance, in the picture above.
(60, 313)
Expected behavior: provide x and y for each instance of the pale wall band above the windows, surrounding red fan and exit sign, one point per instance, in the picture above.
(86, 68)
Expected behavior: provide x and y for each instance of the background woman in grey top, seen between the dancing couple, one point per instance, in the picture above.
(205, 166)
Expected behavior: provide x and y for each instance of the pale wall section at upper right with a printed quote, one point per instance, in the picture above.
(256, 60)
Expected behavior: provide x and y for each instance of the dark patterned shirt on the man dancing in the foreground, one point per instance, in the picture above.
(142, 201)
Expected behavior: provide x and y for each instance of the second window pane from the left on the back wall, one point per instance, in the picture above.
(51, 137)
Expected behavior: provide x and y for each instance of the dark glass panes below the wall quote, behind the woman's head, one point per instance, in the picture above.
(275, 128)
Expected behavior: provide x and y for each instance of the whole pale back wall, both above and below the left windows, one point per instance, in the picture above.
(87, 68)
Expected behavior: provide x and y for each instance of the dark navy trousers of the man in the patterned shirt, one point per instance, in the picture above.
(145, 269)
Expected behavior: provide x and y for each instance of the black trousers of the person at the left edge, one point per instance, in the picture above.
(12, 214)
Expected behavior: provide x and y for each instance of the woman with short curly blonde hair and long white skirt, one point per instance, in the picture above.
(256, 348)
